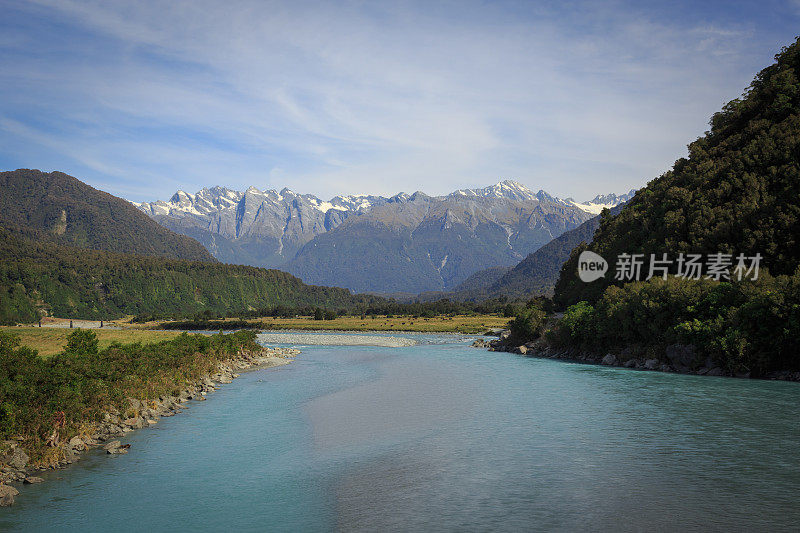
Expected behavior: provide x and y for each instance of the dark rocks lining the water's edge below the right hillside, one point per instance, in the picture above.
(677, 358)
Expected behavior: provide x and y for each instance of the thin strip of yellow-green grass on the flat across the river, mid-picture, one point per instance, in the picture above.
(457, 324)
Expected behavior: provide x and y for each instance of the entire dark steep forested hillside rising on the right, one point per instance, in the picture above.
(738, 192)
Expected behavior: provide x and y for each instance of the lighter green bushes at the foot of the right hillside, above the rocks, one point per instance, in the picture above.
(744, 326)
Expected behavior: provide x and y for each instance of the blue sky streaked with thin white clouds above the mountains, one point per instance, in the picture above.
(577, 98)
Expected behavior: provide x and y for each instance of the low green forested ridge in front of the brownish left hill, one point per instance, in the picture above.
(37, 276)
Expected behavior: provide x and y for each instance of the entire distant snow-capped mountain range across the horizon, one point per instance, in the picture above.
(402, 243)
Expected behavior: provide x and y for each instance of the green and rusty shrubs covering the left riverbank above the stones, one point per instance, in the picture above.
(44, 402)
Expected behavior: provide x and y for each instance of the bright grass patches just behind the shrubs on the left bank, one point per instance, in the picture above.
(50, 341)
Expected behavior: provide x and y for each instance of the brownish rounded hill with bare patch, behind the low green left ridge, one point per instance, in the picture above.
(67, 211)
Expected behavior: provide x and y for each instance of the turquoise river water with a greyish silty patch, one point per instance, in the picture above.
(442, 436)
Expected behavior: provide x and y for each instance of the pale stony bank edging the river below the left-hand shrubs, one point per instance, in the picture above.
(138, 414)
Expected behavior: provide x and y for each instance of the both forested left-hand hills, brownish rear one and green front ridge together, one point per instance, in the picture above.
(70, 250)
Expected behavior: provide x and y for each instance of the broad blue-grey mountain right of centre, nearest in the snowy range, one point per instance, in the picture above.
(420, 243)
